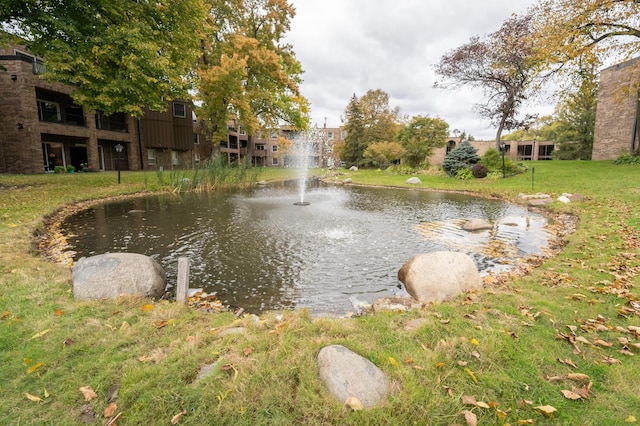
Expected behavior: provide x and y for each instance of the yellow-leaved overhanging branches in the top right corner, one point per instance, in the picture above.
(577, 32)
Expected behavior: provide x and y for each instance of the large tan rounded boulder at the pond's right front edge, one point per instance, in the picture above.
(440, 275)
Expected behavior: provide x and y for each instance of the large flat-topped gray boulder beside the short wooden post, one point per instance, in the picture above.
(111, 275)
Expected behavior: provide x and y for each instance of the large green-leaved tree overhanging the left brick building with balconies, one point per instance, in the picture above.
(120, 55)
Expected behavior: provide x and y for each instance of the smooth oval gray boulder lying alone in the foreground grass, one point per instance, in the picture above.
(347, 375)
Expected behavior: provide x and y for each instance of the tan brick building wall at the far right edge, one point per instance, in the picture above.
(617, 129)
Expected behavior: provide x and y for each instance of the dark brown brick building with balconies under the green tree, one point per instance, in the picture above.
(41, 128)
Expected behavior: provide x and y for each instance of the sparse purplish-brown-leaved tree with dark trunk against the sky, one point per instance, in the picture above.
(502, 65)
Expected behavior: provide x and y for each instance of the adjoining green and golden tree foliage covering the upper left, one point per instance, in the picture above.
(126, 55)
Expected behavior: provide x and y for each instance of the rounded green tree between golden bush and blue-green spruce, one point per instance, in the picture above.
(420, 136)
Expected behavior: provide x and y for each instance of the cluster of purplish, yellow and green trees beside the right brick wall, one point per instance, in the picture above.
(564, 40)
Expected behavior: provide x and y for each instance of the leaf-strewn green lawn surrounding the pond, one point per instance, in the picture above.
(563, 337)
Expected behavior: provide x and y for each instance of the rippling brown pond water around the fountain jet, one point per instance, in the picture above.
(255, 249)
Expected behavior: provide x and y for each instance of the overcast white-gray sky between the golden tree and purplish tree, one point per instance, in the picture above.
(352, 46)
